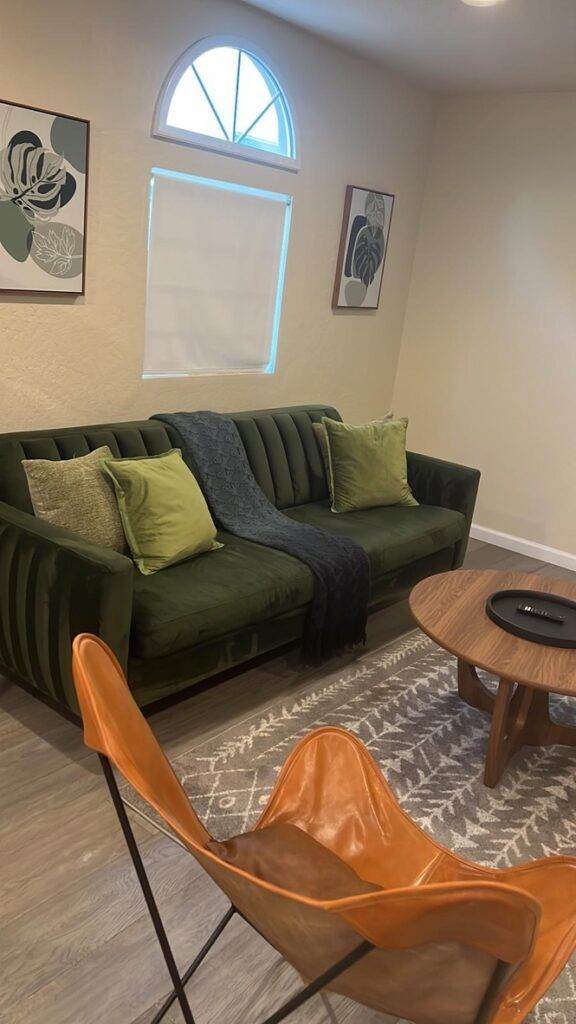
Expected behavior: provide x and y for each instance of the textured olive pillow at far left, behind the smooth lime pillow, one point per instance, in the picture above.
(75, 494)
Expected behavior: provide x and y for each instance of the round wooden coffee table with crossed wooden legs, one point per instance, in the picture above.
(450, 608)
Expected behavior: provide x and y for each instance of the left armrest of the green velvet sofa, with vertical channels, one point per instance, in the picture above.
(53, 586)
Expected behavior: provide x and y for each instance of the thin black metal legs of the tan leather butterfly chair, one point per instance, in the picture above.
(180, 982)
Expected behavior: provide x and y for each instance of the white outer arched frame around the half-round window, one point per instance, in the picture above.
(161, 130)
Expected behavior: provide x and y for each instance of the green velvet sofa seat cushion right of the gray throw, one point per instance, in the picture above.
(393, 537)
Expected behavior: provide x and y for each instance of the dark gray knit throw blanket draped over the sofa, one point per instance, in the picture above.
(214, 450)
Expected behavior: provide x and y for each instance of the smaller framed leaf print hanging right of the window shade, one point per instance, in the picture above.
(362, 254)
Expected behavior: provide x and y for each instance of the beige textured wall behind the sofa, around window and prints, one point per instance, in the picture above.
(66, 363)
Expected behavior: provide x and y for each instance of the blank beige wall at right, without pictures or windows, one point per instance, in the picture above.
(488, 367)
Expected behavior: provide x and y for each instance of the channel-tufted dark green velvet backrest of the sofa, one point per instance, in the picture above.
(280, 444)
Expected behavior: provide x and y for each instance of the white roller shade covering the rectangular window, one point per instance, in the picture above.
(216, 276)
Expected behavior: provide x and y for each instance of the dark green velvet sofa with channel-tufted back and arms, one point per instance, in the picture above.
(193, 621)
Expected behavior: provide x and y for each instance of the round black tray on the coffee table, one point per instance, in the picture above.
(502, 608)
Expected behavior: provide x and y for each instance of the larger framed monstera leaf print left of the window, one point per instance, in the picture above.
(44, 178)
